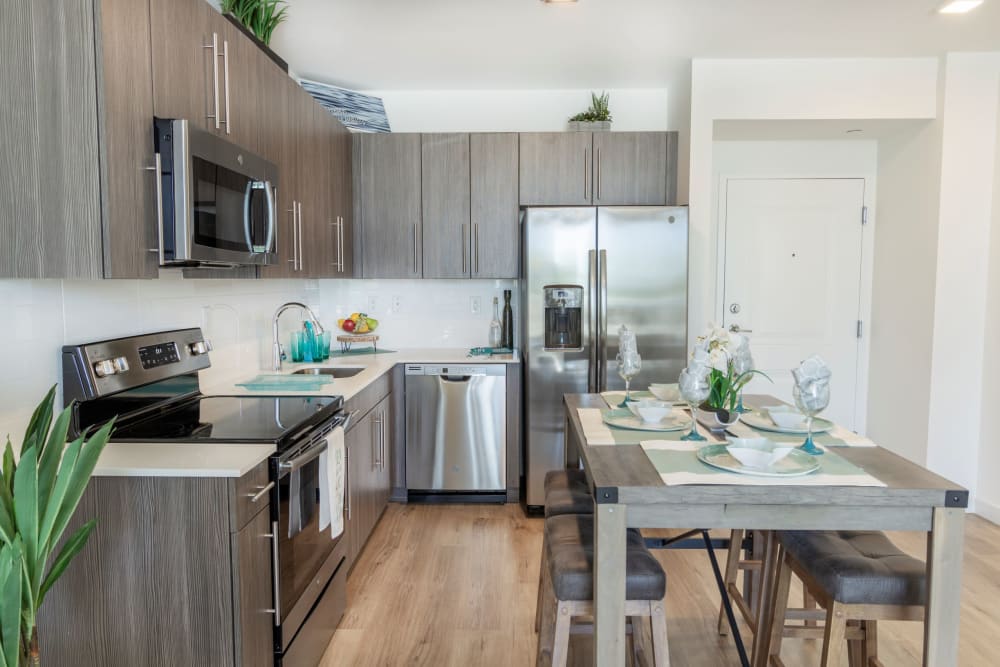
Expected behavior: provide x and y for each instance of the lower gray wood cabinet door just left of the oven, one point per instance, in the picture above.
(255, 593)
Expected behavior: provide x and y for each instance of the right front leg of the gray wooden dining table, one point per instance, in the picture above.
(944, 587)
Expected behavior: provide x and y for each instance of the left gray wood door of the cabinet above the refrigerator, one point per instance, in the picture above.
(555, 169)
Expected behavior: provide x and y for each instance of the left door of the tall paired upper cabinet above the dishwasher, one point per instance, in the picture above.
(445, 205)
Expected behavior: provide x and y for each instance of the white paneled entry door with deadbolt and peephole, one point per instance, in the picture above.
(793, 279)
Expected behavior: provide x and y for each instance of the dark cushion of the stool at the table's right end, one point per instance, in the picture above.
(859, 567)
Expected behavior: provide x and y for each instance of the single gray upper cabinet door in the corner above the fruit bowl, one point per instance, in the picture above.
(387, 182)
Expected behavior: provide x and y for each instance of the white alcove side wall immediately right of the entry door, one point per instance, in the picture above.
(909, 173)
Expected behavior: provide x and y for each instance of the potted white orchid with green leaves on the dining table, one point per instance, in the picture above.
(726, 356)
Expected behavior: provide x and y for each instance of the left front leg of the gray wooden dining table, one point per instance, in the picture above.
(609, 585)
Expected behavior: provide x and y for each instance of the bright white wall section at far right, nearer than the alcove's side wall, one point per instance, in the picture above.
(971, 106)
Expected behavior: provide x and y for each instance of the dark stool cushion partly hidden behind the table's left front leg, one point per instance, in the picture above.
(569, 549)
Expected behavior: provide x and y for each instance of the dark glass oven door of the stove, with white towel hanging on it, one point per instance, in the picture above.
(305, 554)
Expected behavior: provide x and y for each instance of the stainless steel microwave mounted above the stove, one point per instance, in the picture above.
(216, 202)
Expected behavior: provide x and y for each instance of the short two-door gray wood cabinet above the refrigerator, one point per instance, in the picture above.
(601, 169)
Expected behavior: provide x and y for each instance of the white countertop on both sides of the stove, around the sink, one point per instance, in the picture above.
(234, 459)
